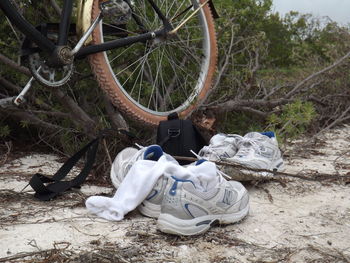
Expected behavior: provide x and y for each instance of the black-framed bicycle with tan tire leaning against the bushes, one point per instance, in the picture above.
(151, 57)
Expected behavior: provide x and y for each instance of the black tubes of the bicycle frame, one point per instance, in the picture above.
(45, 44)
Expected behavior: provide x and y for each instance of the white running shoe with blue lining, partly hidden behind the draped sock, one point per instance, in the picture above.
(122, 164)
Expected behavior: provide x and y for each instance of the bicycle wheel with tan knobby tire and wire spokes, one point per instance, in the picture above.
(120, 94)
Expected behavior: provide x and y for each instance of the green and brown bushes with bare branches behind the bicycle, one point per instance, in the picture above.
(262, 79)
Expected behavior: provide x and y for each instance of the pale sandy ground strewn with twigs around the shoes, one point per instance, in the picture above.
(290, 220)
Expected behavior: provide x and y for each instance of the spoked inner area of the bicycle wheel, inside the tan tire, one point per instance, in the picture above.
(163, 74)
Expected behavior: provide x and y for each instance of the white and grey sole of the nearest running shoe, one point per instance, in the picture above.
(172, 225)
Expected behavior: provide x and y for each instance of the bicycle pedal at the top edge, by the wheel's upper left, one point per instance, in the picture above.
(118, 11)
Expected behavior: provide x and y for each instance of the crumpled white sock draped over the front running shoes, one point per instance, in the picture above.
(141, 179)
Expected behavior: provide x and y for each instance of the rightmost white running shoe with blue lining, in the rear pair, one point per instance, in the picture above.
(260, 151)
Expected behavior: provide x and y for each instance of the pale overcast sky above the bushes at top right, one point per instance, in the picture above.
(337, 10)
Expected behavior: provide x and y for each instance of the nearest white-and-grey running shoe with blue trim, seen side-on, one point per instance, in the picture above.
(188, 211)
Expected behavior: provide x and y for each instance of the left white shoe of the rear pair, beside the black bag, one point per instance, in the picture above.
(221, 146)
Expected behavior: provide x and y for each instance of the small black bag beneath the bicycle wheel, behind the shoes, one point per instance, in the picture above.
(178, 137)
